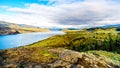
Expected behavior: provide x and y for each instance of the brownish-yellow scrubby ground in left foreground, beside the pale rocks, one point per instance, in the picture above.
(22, 56)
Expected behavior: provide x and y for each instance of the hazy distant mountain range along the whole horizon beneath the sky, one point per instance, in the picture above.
(11, 28)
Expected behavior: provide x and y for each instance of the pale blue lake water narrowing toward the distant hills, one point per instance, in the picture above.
(10, 41)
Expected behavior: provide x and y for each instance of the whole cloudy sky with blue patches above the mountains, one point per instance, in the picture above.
(61, 13)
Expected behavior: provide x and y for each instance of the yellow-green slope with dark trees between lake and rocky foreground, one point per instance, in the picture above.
(108, 40)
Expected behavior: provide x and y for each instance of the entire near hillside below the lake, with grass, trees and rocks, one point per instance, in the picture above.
(75, 49)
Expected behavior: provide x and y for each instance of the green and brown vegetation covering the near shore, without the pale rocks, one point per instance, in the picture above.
(99, 42)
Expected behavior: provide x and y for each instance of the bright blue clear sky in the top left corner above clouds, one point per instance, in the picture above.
(20, 3)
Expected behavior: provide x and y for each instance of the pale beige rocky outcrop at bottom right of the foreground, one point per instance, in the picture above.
(72, 59)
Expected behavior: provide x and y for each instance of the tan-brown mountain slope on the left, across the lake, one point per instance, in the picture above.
(11, 28)
